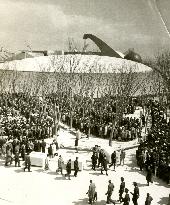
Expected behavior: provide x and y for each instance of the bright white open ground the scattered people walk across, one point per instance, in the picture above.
(49, 188)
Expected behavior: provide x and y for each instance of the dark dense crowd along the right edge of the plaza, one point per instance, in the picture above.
(154, 153)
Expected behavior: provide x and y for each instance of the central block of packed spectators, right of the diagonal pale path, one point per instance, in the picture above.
(97, 117)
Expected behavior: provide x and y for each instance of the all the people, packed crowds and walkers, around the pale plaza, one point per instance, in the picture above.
(27, 121)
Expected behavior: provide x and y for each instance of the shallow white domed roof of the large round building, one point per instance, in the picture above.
(76, 64)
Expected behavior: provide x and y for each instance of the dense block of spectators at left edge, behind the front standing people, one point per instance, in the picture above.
(24, 115)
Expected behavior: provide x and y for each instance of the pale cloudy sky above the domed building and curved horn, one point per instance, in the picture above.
(47, 24)
